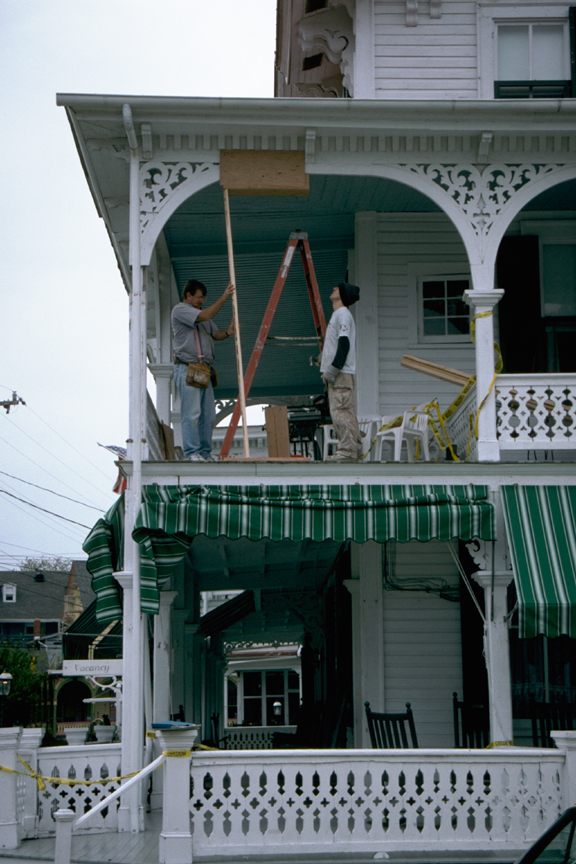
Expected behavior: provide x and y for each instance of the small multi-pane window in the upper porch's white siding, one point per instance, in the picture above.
(444, 316)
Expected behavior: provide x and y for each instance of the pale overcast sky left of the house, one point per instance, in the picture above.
(64, 310)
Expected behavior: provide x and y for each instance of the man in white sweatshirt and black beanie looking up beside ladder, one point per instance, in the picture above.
(338, 370)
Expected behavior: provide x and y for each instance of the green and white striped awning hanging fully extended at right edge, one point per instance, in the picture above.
(541, 528)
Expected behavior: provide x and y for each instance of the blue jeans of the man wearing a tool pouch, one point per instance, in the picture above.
(197, 414)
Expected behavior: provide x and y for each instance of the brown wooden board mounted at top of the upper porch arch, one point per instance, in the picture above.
(264, 172)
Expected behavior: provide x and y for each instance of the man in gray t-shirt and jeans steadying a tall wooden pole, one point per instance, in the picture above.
(192, 324)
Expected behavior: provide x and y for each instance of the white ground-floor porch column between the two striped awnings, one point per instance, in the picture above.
(497, 652)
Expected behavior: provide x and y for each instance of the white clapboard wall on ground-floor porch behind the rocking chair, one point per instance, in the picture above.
(422, 644)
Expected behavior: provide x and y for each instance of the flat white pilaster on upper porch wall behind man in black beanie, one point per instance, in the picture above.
(366, 315)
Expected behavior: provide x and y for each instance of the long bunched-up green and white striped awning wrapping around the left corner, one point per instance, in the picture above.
(171, 516)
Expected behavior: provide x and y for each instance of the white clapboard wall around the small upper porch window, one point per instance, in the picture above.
(404, 240)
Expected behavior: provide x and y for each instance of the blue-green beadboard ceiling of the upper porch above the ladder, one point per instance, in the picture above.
(196, 241)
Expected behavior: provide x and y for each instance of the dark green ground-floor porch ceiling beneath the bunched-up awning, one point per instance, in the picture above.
(224, 564)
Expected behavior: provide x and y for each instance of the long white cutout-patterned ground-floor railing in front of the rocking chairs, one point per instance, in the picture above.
(367, 801)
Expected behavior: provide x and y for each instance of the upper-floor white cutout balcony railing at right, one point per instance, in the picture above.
(536, 412)
